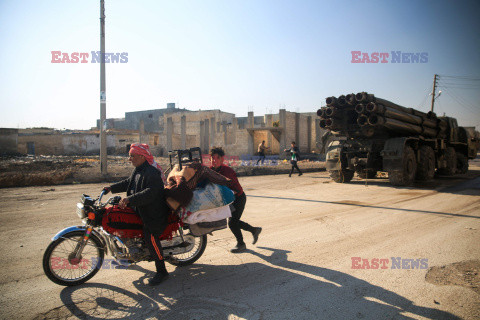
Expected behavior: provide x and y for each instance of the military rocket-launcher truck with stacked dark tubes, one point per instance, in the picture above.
(374, 135)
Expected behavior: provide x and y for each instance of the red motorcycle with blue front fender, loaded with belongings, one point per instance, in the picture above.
(77, 253)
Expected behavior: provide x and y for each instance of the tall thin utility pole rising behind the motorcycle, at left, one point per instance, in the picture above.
(103, 98)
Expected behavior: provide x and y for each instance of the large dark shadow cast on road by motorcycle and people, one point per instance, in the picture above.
(275, 288)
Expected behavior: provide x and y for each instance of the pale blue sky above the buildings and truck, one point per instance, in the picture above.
(237, 56)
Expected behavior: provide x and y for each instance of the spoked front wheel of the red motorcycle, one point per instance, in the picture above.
(61, 266)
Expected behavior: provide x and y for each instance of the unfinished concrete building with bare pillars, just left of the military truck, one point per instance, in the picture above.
(241, 136)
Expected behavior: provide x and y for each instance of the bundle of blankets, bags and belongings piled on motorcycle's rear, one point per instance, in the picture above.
(200, 196)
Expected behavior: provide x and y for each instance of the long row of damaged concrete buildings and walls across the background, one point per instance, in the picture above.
(172, 128)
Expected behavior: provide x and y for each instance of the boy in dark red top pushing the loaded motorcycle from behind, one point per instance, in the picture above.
(235, 224)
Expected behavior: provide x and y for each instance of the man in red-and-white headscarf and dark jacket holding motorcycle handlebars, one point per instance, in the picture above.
(145, 193)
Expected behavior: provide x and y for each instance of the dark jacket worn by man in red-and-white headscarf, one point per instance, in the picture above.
(146, 193)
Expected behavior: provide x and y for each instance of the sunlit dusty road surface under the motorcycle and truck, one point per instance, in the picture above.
(307, 263)
